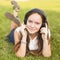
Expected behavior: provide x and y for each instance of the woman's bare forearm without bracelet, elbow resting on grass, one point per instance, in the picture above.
(46, 49)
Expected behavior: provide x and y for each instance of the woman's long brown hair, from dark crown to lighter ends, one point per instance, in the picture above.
(40, 40)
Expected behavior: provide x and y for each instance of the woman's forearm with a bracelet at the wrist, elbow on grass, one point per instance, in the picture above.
(22, 50)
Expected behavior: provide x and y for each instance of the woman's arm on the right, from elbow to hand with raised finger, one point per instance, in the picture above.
(46, 45)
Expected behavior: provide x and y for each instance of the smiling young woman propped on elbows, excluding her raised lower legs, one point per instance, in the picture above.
(33, 37)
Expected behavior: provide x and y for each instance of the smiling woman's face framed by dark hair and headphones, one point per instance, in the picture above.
(34, 23)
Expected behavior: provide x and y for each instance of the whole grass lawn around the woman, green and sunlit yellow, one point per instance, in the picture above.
(52, 10)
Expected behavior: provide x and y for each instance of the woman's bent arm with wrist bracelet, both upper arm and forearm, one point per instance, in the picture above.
(22, 49)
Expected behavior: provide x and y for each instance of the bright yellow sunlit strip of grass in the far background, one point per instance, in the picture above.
(42, 4)
